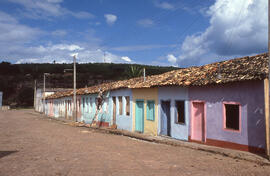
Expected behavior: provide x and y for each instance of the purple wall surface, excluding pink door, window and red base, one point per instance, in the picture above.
(250, 95)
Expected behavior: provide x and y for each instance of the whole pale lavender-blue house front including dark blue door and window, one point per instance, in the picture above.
(173, 110)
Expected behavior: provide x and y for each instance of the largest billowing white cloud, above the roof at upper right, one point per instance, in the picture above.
(236, 28)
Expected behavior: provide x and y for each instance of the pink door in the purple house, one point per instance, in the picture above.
(197, 122)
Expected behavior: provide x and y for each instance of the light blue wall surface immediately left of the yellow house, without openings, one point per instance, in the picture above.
(122, 121)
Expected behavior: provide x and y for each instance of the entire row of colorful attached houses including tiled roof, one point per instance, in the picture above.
(220, 104)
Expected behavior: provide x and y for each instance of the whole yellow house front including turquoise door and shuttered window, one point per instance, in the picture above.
(145, 110)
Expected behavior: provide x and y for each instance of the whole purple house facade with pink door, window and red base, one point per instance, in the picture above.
(229, 115)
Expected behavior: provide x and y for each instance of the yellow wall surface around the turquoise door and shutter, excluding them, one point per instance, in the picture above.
(150, 127)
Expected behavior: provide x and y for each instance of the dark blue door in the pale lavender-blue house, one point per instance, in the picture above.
(165, 118)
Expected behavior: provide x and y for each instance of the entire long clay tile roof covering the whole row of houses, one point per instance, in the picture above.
(239, 69)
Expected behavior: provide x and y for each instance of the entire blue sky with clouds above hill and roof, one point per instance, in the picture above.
(155, 32)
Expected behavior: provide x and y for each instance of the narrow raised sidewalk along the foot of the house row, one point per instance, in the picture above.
(235, 154)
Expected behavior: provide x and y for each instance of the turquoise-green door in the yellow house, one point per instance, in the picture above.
(139, 117)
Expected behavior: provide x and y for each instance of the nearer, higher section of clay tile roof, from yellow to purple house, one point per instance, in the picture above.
(239, 69)
